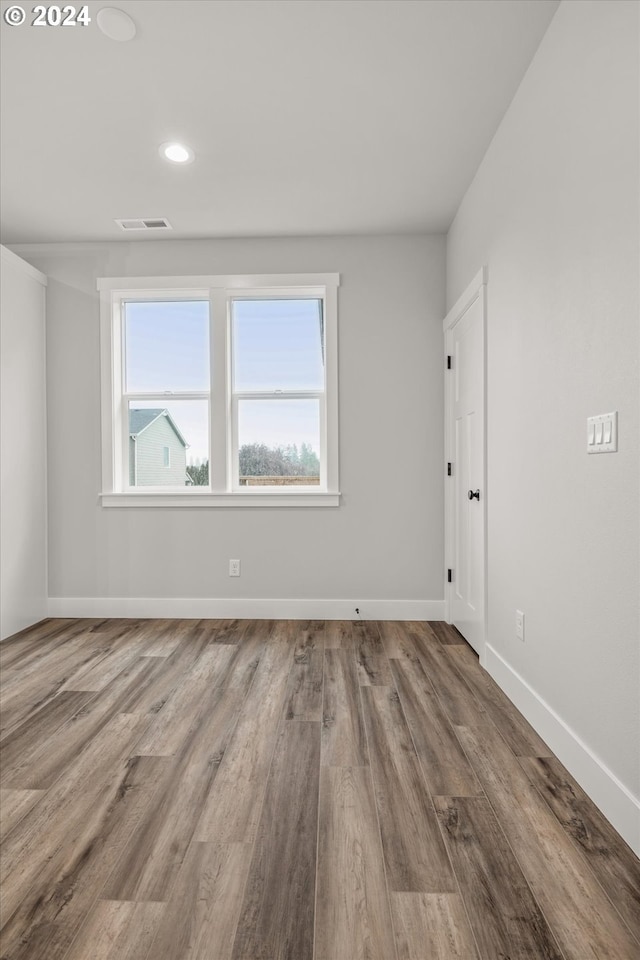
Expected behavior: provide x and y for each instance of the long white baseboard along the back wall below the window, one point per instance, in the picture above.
(250, 609)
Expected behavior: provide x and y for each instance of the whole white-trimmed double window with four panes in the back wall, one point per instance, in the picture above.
(220, 391)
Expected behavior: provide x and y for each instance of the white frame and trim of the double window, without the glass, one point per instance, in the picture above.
(219, 291)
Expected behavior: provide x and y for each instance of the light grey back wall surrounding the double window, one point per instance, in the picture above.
(385, 541)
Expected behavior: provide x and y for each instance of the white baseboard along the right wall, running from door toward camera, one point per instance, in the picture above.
(608, 793)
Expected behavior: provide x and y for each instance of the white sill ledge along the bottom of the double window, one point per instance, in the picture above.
(275, 498)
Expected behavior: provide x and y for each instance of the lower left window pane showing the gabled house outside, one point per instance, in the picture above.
(168, 443)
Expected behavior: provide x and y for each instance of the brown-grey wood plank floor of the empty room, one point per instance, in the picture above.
(288, 790)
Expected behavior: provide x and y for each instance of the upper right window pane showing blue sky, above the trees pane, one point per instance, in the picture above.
(278, 345)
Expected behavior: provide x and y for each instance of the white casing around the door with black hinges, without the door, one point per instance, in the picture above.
(477, 289)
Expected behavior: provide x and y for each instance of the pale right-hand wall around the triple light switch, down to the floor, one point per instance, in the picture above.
(553, 212)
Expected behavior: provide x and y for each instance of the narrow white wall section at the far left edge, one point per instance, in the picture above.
(23, 447)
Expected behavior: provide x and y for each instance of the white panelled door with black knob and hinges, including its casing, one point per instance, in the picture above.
(465, 430)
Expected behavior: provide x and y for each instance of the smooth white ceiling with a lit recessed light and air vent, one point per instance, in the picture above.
(306, 116)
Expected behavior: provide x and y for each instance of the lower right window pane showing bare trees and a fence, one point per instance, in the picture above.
(279, 442)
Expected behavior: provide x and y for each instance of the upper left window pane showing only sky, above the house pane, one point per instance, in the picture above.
(166, 346)
